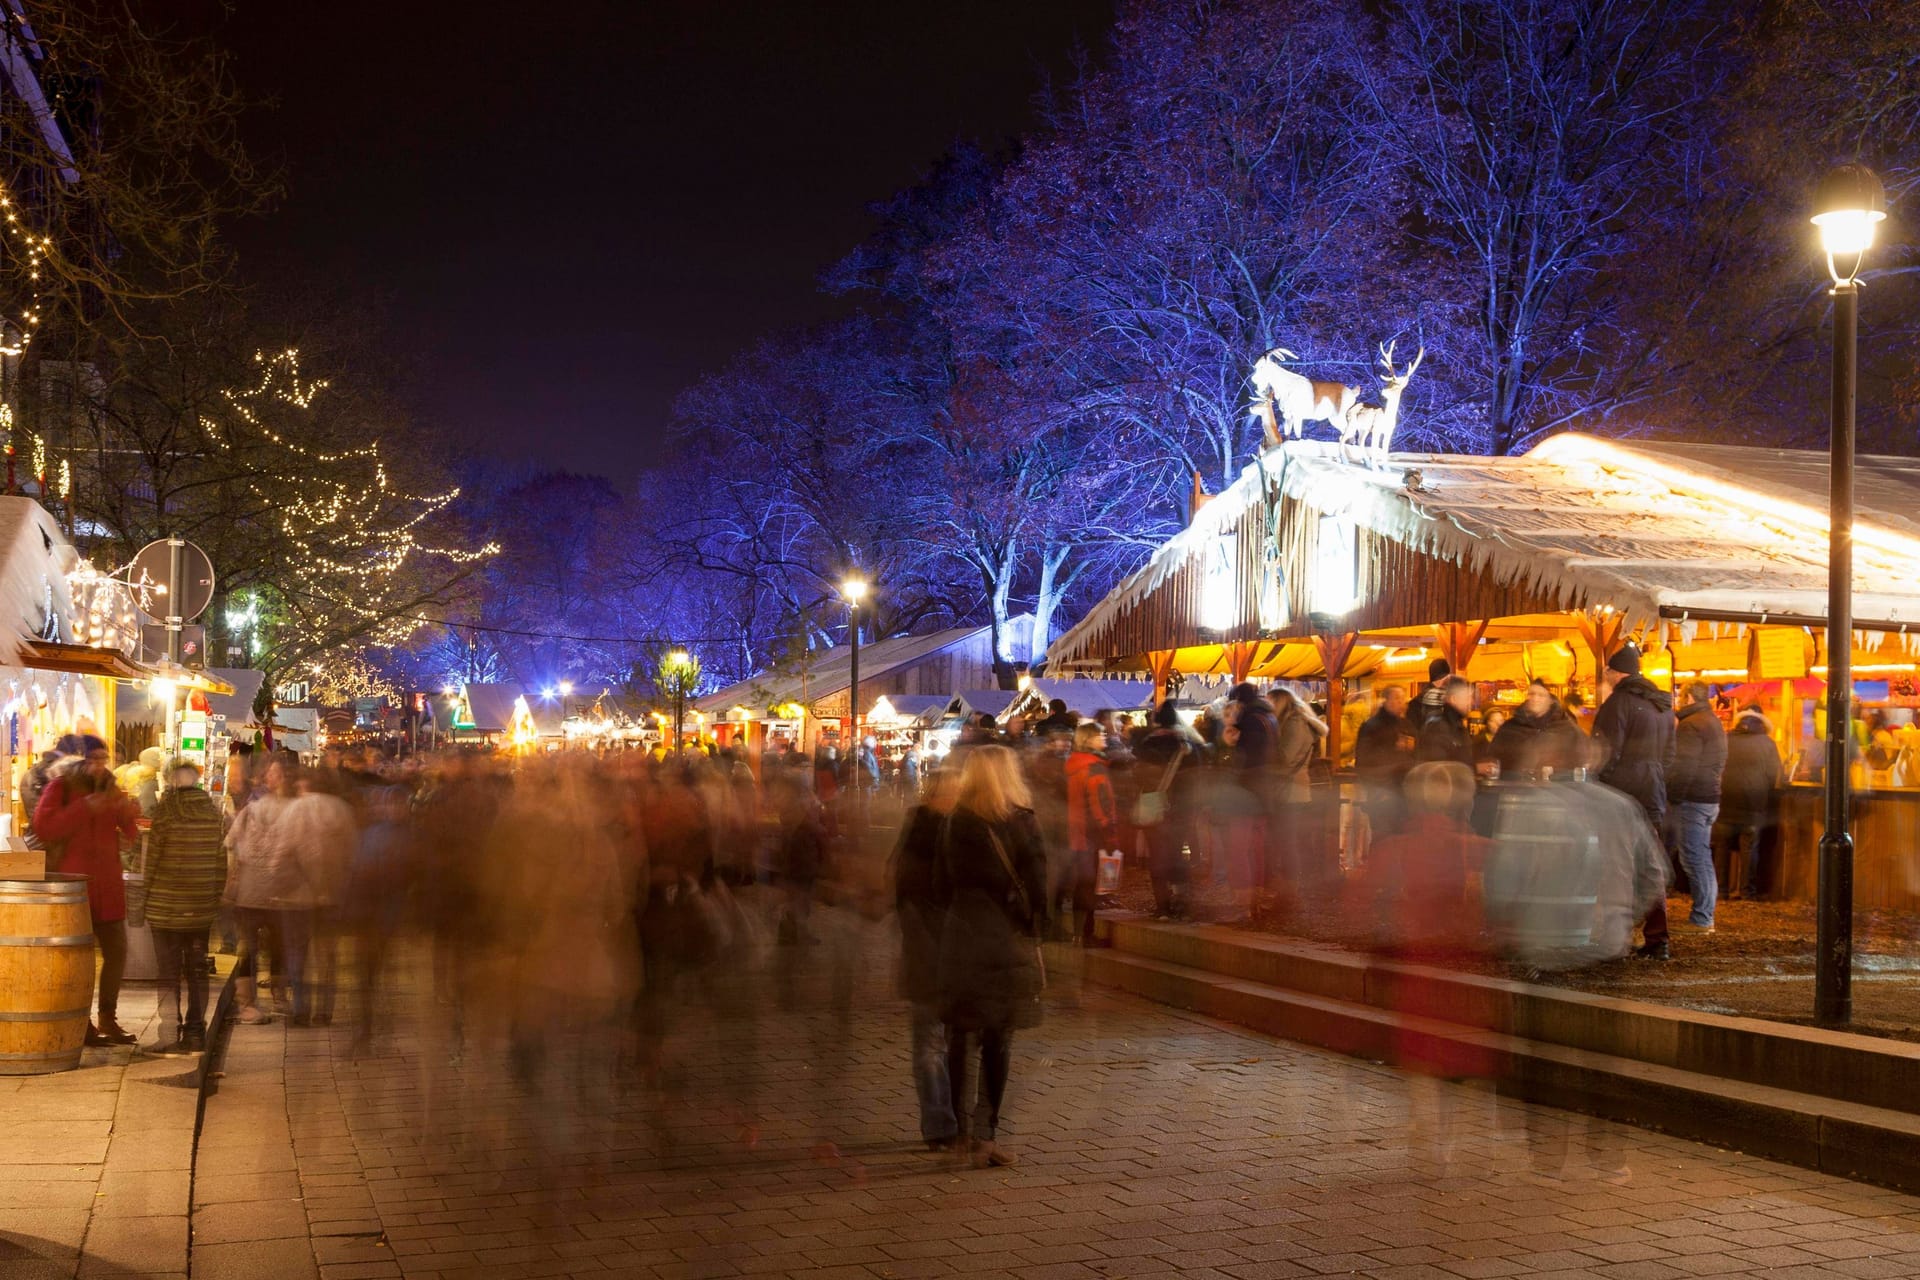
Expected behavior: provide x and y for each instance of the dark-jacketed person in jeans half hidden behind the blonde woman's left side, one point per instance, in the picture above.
(921, 913)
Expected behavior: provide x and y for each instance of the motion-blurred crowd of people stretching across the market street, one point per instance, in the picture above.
(575, 907)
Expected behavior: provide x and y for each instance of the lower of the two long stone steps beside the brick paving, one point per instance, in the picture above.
(1836, 1137)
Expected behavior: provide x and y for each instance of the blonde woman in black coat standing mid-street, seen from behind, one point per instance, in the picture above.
(992, 880)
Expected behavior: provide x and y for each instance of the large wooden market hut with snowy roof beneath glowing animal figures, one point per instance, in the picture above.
(1712, 557)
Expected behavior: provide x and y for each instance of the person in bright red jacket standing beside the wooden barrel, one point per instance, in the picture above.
(84, 817)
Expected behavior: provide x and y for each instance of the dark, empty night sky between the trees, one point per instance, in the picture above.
(571, 212)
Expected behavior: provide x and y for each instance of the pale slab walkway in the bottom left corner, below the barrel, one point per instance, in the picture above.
(95, 1164)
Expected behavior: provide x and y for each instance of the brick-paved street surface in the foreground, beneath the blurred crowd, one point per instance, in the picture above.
(780, 1139)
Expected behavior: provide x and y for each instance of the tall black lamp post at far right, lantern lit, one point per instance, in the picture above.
(1848, 206)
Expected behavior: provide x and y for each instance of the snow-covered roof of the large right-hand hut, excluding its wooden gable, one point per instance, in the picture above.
(1585, 523)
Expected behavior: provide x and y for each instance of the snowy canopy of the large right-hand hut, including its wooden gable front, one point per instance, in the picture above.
(1312, 544)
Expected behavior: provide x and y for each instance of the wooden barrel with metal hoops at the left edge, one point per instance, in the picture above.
(47, 974)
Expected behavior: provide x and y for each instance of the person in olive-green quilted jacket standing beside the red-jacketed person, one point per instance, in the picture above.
(185, 880)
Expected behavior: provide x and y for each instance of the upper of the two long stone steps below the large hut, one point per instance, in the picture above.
(1804, 1060)
